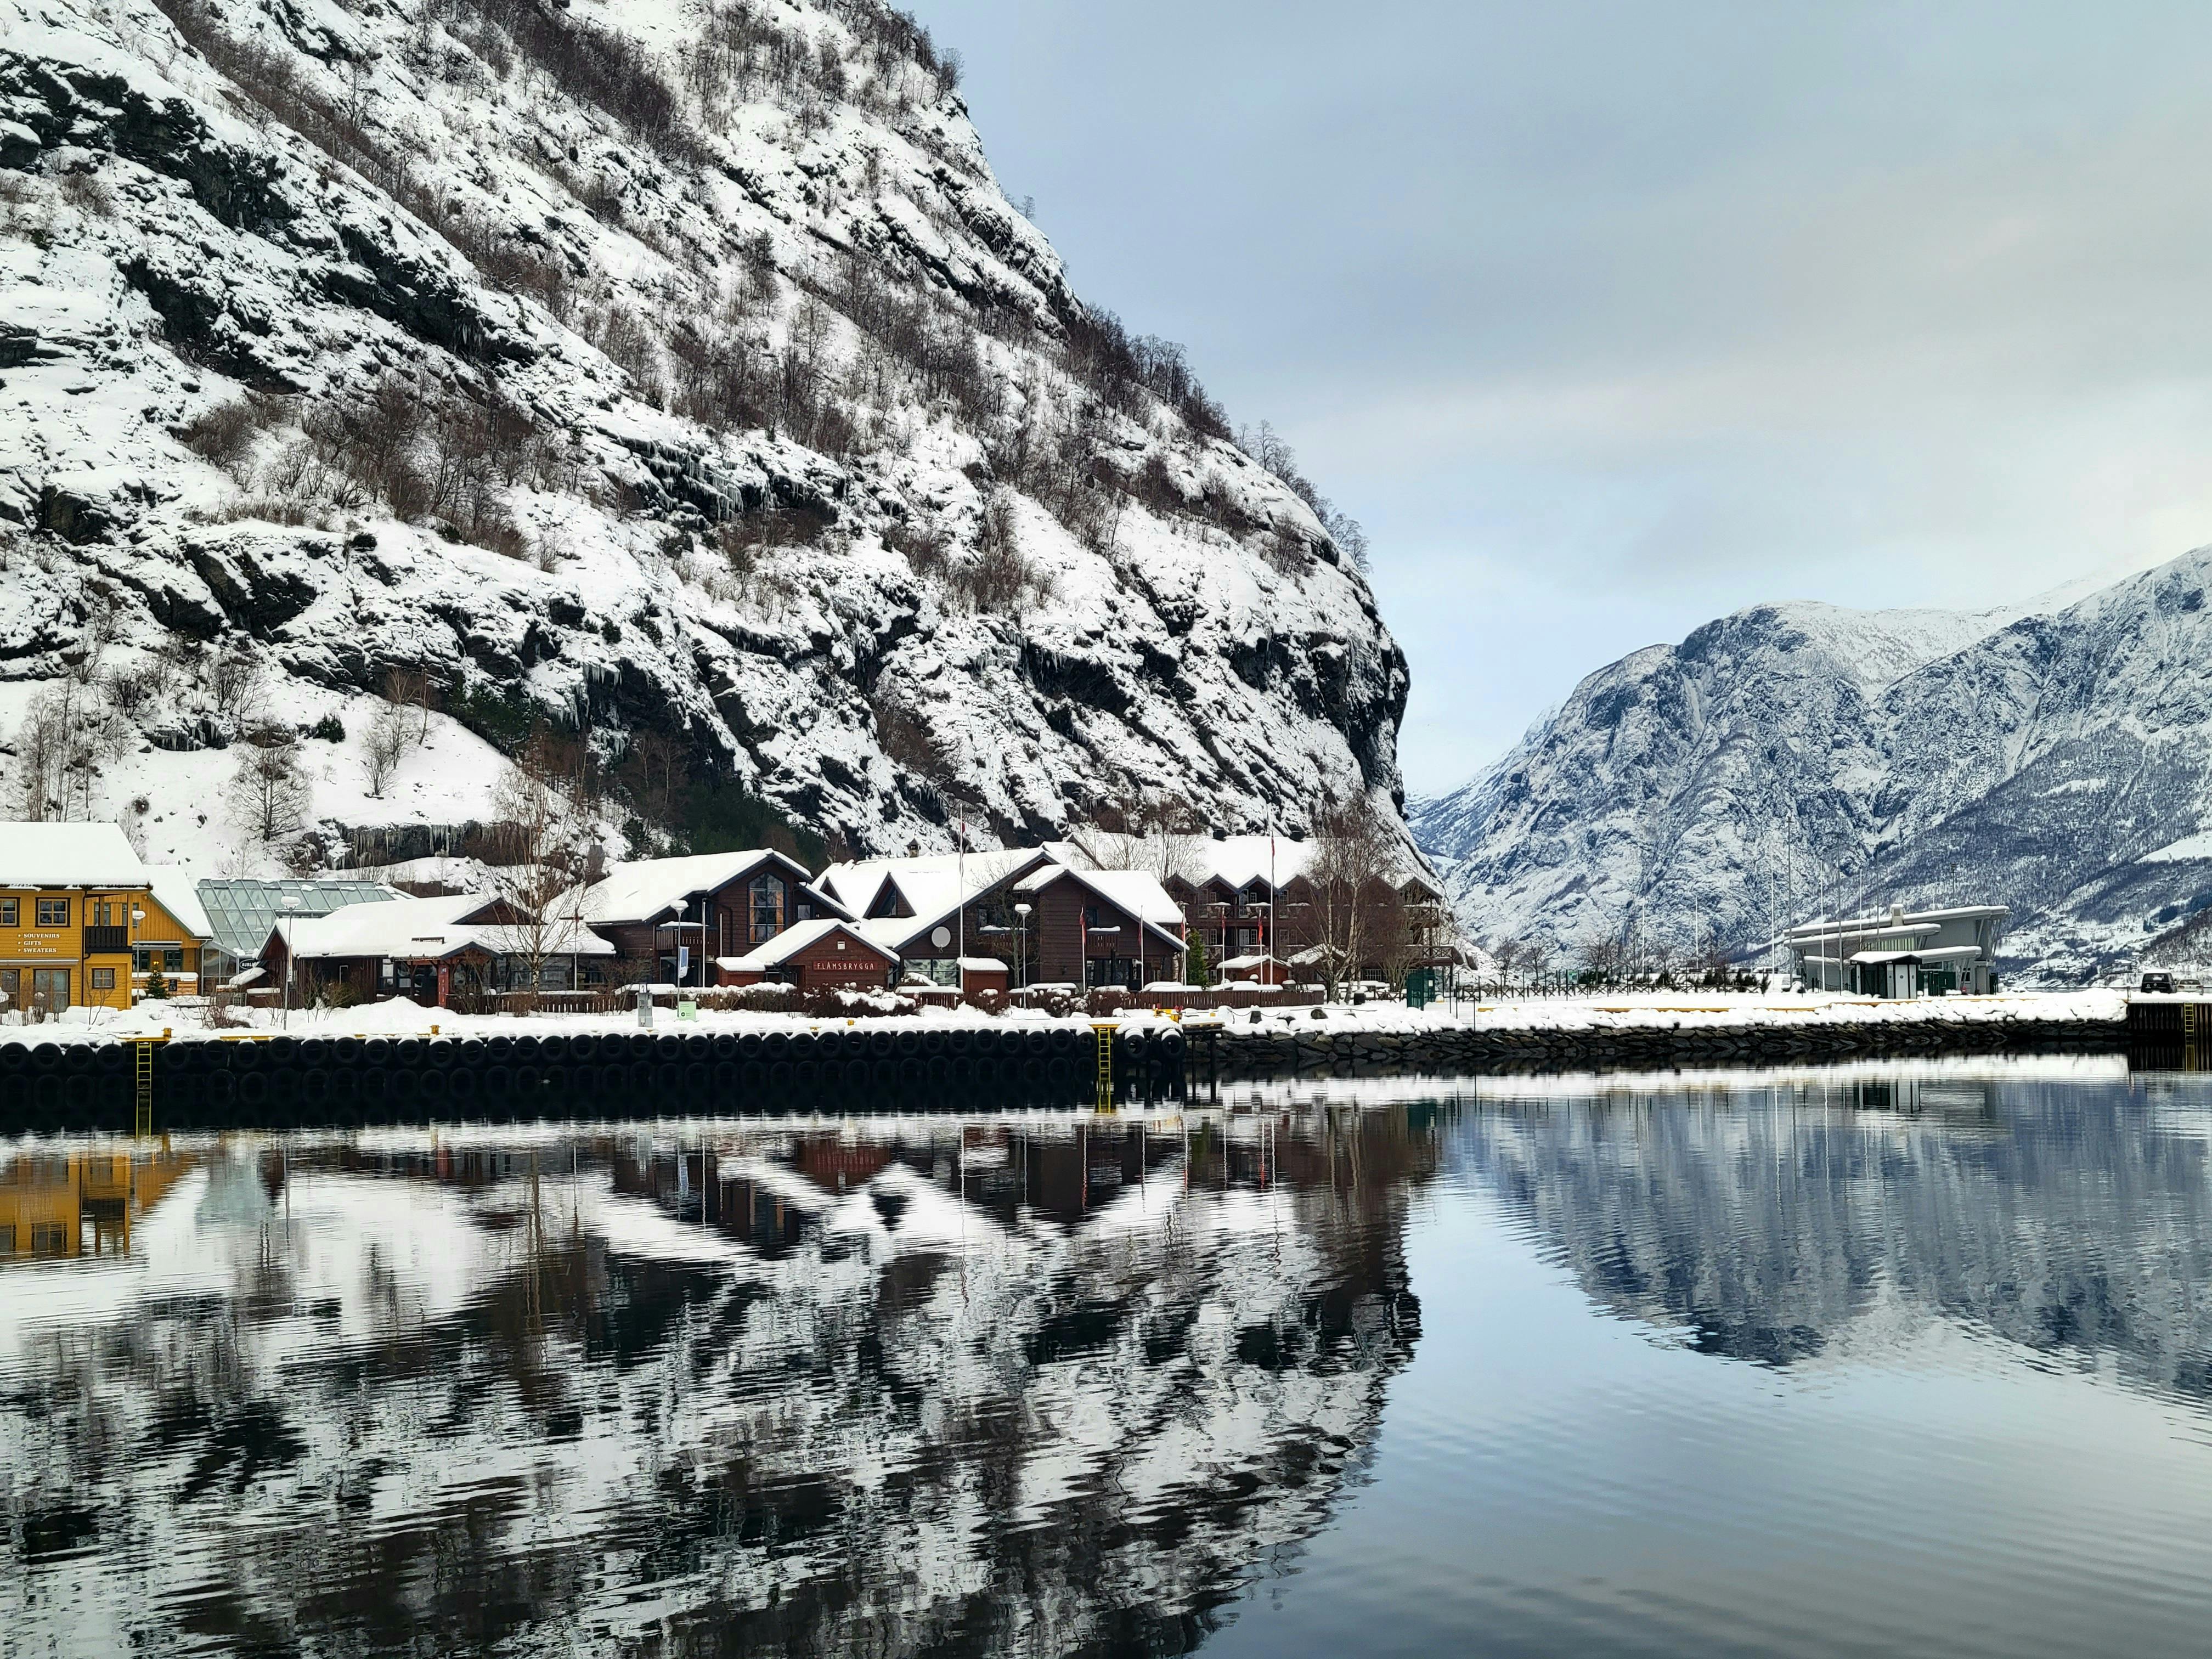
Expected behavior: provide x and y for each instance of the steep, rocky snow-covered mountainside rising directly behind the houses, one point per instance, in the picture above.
(671, 373)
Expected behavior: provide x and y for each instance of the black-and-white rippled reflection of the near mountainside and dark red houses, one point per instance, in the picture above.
(1027, 1386)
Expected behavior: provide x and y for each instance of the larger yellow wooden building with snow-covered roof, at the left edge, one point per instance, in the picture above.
(72, 904)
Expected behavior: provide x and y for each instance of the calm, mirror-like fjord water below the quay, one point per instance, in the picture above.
(1868, 1361)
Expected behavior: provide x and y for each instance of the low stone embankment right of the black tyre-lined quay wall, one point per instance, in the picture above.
(1295, 1052)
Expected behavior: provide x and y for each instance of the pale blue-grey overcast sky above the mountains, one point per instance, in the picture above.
(1609, 320)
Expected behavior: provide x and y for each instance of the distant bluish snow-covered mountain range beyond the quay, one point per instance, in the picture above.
(1795, 758)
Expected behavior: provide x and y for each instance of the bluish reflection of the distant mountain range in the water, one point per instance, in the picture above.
(1775, 1224)
